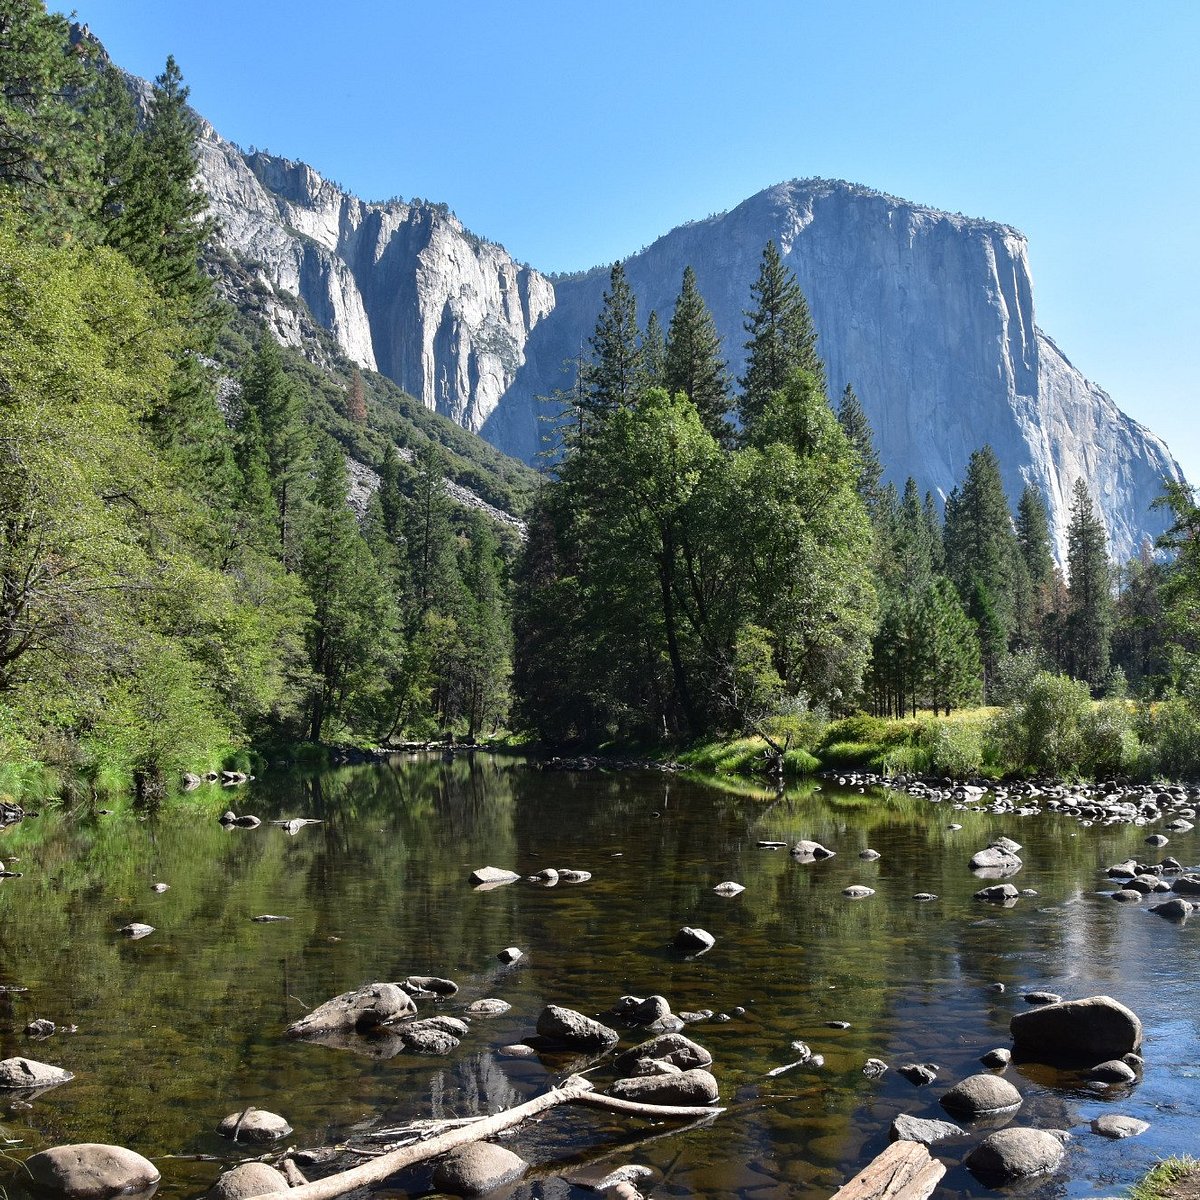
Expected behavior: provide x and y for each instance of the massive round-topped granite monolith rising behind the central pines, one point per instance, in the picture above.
(928, 315)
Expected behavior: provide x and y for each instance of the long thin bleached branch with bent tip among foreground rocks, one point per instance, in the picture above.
(574, 1091)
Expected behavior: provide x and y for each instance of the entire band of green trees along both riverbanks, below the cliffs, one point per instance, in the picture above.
(183, 577)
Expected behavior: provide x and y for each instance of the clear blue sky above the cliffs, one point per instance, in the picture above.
(575, 134)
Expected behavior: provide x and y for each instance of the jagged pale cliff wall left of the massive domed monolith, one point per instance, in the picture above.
(404, 287)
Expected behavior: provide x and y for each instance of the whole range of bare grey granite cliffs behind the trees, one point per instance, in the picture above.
(929, 316)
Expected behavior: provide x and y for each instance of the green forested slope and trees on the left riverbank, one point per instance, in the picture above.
(181, 575)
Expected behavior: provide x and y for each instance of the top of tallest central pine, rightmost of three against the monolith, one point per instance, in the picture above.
(782, 338)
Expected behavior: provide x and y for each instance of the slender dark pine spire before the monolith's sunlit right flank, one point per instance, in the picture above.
(1090, 596)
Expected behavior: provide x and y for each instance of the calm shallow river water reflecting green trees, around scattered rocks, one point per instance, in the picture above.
(185, 1027)
